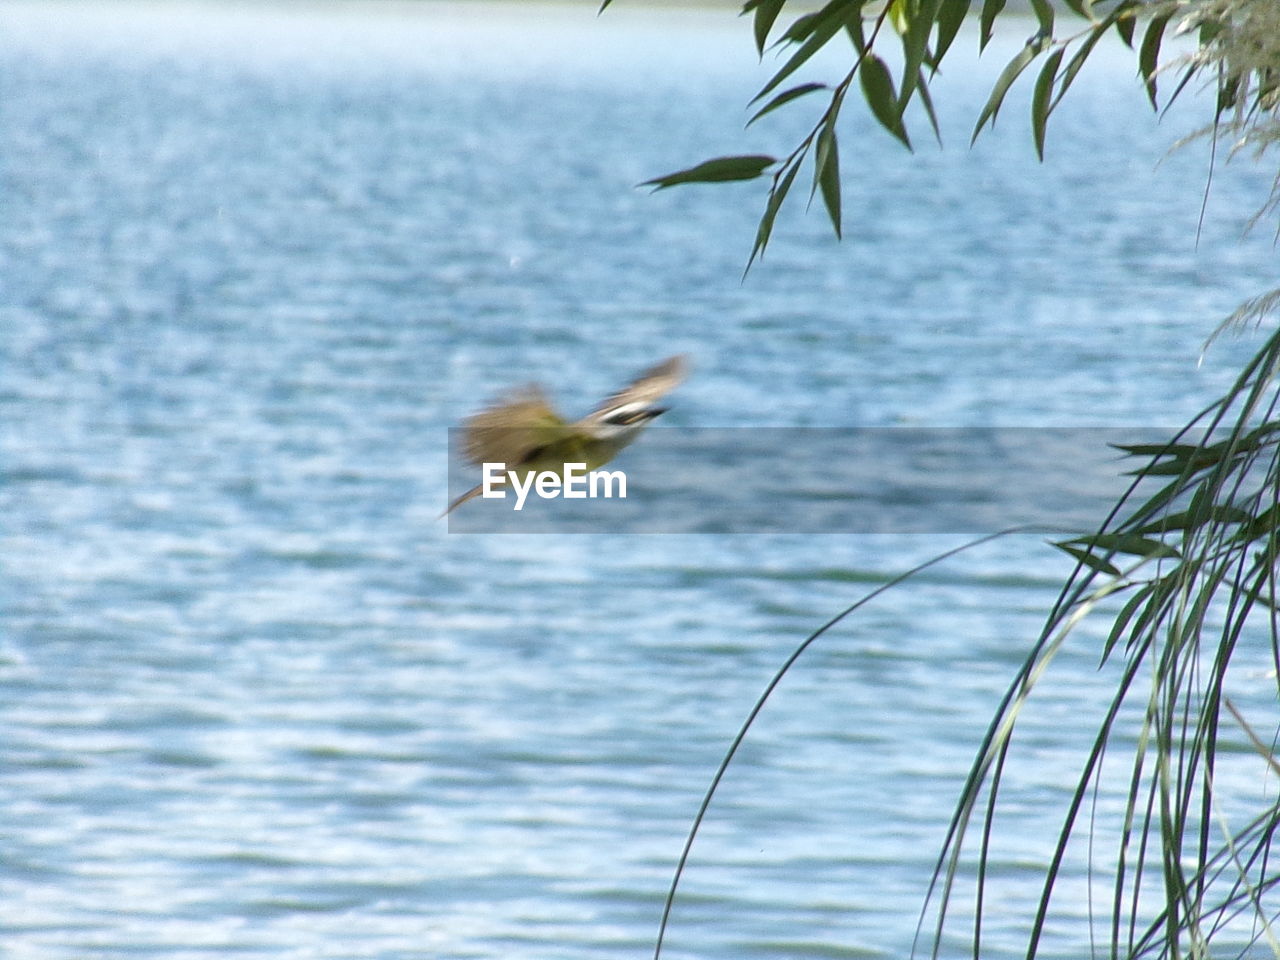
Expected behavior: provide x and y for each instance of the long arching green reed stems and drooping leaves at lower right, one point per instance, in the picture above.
(1187, 575)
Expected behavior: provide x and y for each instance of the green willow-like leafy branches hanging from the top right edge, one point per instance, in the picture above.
(1247, 81)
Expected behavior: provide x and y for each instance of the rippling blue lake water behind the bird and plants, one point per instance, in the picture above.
(257, 702)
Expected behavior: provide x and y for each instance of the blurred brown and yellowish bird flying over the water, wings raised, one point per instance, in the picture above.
(529, 437)
